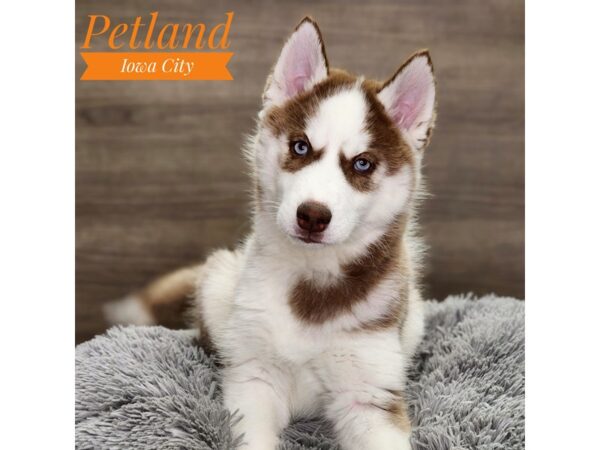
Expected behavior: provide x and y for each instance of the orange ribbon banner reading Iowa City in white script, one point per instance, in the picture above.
(156, 66)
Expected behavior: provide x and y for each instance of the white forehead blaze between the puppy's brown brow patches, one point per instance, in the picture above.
(339, 123)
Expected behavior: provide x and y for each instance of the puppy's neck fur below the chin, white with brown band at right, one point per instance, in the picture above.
(327, 281)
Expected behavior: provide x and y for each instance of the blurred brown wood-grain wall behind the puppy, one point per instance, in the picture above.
(160, 178)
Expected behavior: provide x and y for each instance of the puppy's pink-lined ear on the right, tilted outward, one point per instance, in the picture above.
(409, 98)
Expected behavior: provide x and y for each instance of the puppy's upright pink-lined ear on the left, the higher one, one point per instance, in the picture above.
(301, 64)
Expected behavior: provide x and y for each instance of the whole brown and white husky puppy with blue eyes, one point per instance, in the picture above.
(319, 311)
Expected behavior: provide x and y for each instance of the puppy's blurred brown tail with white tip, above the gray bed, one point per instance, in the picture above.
(165, 301)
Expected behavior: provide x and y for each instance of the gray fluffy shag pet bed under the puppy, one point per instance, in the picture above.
(149, 387)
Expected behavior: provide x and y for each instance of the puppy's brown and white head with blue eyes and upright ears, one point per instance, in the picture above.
(337, 157)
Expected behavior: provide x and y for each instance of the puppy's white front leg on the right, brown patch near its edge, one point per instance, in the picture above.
(363, 376)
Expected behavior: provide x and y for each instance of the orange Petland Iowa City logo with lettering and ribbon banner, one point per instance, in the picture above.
(145, 50)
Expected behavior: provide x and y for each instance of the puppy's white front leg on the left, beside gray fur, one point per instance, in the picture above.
(256, 395)
